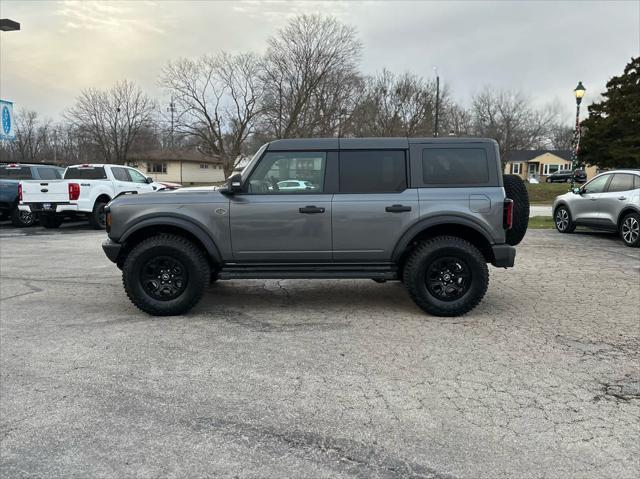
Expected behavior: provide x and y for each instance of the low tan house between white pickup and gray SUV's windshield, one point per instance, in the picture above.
(187, 167)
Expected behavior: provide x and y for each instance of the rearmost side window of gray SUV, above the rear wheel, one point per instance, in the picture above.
(455, 166)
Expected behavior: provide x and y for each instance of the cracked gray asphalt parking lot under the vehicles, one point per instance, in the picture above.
(320, 378)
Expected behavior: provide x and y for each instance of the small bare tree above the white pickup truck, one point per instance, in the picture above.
(112, 118)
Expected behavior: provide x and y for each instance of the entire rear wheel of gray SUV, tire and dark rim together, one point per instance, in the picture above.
(446, 276)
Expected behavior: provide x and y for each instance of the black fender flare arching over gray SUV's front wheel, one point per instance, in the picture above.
(171, 225)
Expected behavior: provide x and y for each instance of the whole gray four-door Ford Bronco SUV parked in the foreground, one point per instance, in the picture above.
(428, 212)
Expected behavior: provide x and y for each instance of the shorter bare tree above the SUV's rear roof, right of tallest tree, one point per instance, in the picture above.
(401, 105)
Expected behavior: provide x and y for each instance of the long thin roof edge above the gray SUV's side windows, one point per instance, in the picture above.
(359, 143)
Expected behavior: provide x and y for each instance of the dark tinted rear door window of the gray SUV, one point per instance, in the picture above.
(373, 171)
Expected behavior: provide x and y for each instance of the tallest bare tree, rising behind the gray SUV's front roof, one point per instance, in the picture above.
(311, 77)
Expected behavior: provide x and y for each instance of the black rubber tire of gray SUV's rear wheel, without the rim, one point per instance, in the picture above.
(418, 262)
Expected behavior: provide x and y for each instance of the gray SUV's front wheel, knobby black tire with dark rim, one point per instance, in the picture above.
(165, 275)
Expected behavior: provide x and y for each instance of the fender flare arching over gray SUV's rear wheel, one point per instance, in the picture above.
(450, 225)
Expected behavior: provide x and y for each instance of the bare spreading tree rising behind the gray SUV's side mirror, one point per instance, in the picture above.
(218, 100)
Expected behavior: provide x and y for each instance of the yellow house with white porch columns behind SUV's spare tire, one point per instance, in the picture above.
(539, 164)
